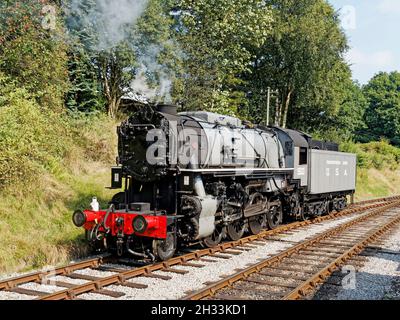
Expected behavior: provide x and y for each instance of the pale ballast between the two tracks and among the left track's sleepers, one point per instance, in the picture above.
(179, 284)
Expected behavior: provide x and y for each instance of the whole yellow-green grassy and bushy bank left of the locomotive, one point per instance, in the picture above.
(50, 165)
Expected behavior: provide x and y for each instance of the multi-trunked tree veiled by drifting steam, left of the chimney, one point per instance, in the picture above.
(117, 50)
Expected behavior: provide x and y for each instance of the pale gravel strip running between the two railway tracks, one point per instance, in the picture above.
(179, 285)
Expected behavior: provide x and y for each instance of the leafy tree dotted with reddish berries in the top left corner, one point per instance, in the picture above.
(31, 55)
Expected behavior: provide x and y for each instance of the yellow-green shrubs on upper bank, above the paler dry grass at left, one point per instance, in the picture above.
(35, 141)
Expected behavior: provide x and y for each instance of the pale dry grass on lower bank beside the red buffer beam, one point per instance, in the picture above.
(37, 230)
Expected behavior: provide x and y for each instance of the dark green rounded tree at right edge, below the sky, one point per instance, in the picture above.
(382, 115)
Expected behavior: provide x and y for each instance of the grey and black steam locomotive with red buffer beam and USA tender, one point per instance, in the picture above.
(200, 177)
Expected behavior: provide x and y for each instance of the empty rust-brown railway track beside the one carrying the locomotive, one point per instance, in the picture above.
(295, 272)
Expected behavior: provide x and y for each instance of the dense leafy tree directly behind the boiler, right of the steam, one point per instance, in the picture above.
(215, 37)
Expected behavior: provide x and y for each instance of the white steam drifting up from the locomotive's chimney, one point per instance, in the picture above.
(110, 23)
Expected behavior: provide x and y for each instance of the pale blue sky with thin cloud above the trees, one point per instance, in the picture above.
(373, 30)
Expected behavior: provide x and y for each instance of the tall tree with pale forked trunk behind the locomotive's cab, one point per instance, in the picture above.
(302, 58)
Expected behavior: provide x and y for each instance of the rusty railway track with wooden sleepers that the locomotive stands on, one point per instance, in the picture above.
(124, 276)
